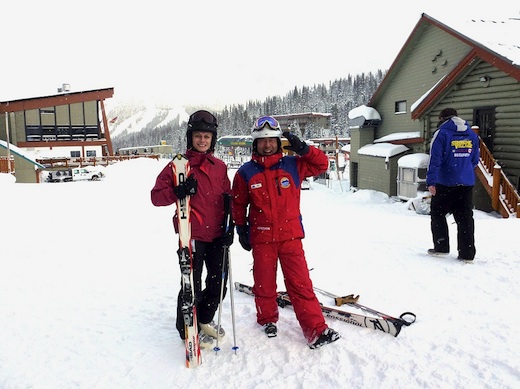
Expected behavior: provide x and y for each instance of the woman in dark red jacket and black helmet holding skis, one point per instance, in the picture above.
(207, 183)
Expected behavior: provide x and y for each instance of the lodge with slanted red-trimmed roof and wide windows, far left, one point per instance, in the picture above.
(61, 126)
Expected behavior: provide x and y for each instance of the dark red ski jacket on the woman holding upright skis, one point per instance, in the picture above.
(207, 205)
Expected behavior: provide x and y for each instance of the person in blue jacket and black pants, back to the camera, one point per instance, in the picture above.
(454, 155)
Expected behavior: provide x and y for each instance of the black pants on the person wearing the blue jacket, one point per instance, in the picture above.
(457, 200)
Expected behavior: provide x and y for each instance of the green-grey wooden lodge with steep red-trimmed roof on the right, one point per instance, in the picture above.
(474, 67)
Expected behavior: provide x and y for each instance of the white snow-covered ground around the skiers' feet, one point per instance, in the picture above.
(89, 278)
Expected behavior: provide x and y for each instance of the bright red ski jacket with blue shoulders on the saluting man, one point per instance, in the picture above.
(270, 186)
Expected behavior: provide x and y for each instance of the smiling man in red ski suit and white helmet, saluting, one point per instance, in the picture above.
(266, 211)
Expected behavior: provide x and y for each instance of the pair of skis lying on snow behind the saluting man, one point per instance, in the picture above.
(376, 321)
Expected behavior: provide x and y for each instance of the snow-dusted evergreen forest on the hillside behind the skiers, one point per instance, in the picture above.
(337, 98)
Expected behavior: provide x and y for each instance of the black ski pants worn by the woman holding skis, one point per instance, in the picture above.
(207, 300)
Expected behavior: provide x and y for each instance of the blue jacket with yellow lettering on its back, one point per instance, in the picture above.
(454, 154)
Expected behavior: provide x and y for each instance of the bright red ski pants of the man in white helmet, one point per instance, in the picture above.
(297, 282)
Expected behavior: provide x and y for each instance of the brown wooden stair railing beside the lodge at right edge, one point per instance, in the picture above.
(504, 197)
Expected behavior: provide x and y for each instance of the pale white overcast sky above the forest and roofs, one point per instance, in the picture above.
(206, 52)
